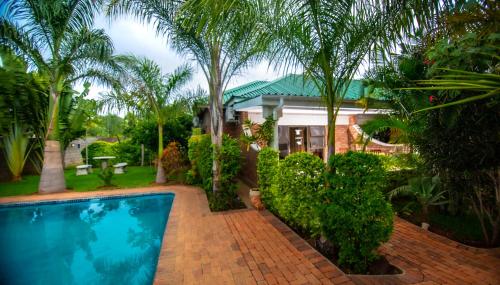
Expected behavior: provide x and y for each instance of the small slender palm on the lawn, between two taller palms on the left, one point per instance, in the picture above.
(147, 91)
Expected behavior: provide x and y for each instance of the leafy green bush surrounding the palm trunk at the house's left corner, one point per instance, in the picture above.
(201, 154)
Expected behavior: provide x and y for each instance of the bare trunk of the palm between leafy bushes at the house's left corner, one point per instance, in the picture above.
(216, 117)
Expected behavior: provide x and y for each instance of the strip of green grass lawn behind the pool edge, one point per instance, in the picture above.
(136, 176)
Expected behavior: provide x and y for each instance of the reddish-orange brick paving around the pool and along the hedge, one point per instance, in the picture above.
(249, 247)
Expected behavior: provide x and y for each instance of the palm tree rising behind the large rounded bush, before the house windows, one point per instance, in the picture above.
(331, 39)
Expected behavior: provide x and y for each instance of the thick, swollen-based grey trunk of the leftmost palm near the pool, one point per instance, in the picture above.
(52, 176)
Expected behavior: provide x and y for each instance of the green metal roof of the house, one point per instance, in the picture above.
(289, 85)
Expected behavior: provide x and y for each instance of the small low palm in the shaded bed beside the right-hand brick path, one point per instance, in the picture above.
(427, 192)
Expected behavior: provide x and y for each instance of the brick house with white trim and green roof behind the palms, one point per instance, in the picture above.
(295, 102)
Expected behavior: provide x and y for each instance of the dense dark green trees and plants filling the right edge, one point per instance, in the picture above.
(443, 90)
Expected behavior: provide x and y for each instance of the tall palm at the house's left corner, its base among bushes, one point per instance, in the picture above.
(221, 36)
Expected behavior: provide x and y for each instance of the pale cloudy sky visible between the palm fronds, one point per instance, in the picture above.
(132, 37)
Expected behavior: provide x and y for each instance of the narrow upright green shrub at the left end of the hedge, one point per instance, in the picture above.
(267, 166)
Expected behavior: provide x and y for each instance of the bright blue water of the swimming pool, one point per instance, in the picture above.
(99, 241)
